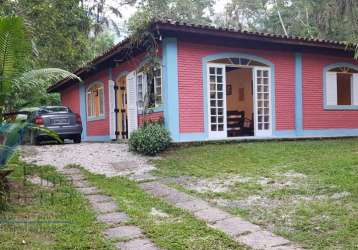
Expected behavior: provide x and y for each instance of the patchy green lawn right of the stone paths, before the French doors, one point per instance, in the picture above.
(306, 191)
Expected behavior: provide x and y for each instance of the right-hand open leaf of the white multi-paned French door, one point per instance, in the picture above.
(262, 102)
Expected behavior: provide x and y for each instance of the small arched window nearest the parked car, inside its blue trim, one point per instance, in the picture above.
(95, 101)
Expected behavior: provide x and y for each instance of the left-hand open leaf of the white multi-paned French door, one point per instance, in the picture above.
(216, 101)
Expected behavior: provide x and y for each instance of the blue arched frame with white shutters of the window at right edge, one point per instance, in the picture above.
(330, 89)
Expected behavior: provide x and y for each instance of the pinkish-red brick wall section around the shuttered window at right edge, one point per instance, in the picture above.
(314, 114)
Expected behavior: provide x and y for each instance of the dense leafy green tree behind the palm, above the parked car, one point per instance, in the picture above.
(61, 38)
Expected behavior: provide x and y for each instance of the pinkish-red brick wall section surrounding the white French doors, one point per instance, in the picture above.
(190, 76)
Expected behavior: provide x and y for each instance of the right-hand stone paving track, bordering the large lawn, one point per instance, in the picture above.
(240, 230)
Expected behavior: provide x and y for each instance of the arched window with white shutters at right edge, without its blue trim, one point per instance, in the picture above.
(342, 87)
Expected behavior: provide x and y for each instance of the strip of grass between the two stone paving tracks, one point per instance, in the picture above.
(177, 230)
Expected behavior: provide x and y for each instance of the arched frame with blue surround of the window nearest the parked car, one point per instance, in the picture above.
(90, 103)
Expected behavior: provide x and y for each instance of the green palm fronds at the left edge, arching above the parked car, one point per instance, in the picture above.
(15, 76)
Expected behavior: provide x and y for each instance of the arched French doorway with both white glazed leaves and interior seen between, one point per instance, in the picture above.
(239, 98)
